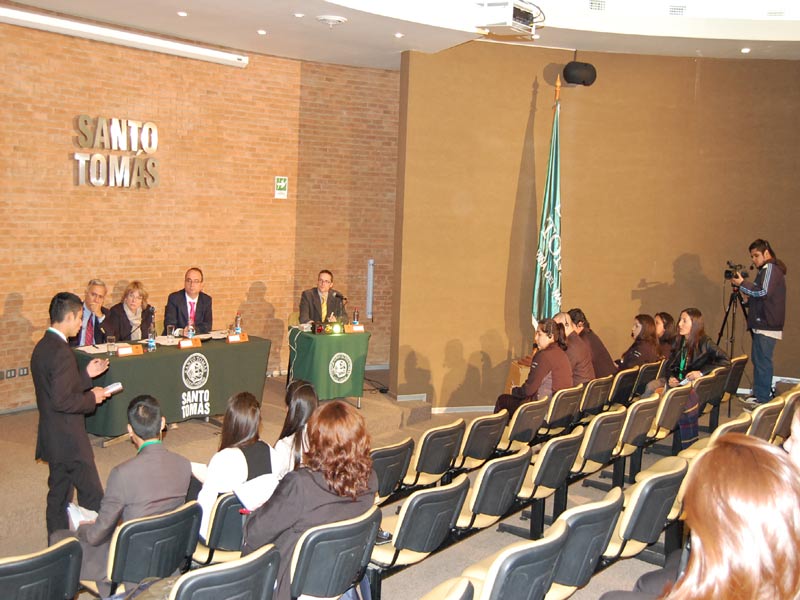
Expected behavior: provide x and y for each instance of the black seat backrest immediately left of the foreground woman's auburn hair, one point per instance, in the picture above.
(650, 500)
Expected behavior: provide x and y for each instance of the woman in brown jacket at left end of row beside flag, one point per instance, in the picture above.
(550, 370)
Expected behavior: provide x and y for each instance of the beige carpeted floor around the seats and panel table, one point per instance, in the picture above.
(25, 483)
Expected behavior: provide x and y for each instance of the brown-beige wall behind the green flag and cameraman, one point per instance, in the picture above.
(669, 167)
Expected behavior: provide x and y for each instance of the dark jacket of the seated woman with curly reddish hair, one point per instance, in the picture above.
(301, 501)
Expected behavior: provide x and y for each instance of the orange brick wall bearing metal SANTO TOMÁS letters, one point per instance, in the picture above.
(224, 134)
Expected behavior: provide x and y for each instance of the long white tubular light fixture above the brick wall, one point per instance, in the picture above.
(119, 37)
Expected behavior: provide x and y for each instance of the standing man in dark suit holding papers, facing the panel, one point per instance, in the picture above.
(64, 394)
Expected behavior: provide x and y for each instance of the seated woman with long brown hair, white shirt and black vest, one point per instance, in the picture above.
(242, 457)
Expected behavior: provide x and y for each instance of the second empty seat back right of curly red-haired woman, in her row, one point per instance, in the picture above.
(498, 483)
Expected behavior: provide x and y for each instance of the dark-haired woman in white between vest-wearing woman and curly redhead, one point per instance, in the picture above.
(302, 401)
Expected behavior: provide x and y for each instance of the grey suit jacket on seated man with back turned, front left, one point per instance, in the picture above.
(152, 482)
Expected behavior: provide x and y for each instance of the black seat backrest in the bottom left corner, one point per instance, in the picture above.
(51, 574)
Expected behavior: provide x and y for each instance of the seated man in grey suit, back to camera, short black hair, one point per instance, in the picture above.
(152, 482)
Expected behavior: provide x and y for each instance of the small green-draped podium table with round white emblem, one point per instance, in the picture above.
(334, 363)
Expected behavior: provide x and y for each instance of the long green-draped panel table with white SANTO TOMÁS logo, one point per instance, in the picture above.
(189, 383)
